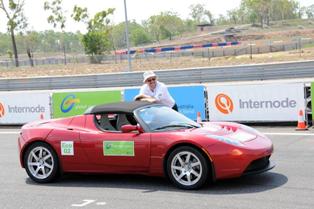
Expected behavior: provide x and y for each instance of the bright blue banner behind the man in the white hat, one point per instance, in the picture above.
(190, 99)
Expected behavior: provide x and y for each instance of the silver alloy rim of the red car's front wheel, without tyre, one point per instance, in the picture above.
(186, 168)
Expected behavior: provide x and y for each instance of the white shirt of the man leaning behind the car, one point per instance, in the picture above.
(160, 93)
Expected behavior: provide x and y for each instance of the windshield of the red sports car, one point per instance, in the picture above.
(162, 117)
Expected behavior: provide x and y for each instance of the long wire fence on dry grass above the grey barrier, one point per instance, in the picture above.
(243, 49)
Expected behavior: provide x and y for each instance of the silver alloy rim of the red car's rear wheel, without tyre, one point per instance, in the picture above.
(40, 162)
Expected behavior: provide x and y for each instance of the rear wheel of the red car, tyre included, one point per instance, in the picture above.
(41, 163)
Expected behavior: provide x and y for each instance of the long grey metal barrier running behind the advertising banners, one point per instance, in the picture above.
(194, 75)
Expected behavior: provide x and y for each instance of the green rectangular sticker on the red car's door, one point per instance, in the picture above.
(118, 148)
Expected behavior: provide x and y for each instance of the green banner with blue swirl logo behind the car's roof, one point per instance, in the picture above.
(67, 104)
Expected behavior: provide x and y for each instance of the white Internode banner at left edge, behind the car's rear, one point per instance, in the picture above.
(23, 107)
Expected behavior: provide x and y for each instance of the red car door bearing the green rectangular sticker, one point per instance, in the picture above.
(114, 151)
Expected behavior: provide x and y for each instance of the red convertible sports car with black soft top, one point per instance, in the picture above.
(143, 138)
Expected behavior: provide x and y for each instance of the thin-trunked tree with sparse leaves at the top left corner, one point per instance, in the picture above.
(16, 20)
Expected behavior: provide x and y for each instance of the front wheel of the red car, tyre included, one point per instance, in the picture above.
(187, 168)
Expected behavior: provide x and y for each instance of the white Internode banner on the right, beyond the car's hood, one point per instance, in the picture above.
(263, 102)
